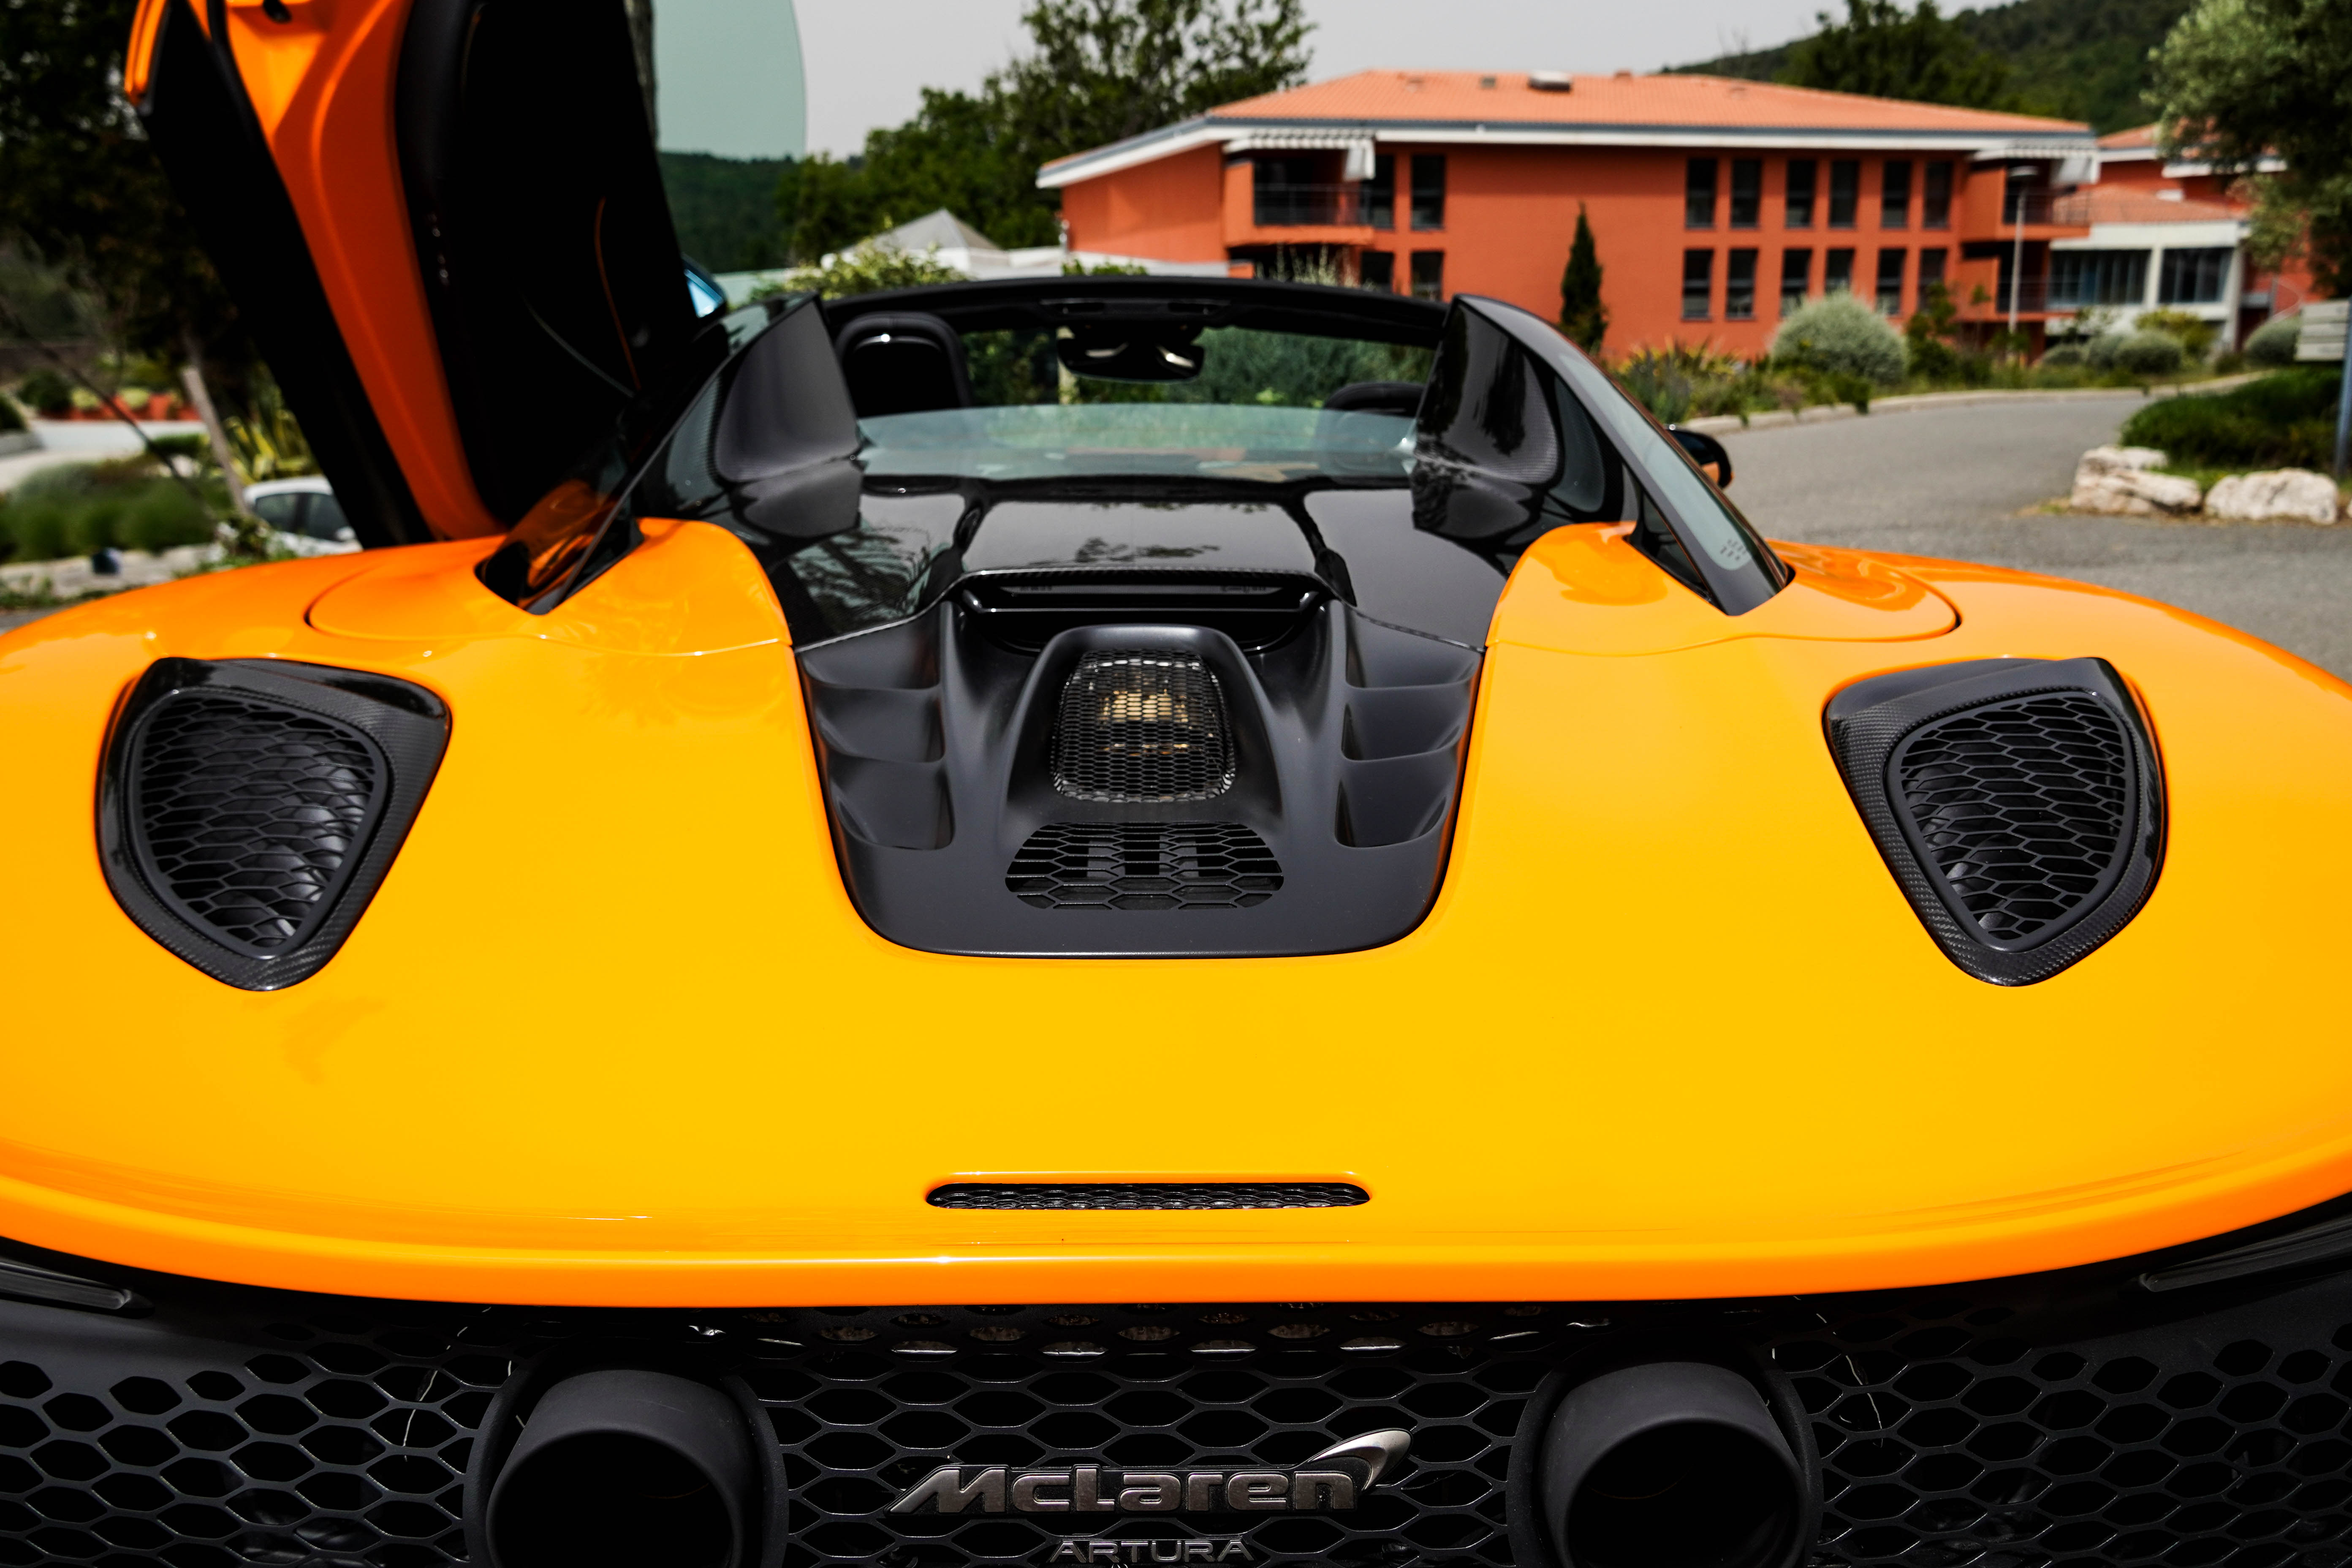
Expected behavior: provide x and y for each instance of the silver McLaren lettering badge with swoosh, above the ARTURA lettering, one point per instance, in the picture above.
(1330, 1482)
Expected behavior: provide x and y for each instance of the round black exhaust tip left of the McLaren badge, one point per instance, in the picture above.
(624, 1468)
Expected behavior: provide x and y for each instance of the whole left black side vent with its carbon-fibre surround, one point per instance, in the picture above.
(253, 808)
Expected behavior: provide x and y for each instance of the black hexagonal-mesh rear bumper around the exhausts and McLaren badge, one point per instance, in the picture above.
(1979, 1426)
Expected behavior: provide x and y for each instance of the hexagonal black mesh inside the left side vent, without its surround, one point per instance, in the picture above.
(248, 817)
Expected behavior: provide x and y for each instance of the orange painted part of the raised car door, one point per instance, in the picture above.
(321, 86)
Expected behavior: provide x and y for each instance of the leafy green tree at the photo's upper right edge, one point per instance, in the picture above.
(2243, 81)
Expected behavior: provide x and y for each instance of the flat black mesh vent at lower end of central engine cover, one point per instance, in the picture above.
(1144, 866)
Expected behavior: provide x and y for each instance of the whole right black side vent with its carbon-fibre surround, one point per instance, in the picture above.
(2017, 800)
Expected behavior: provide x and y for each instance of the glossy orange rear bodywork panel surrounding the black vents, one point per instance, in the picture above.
(613, 1031)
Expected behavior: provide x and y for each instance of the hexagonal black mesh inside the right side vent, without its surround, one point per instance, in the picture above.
(2022, 808)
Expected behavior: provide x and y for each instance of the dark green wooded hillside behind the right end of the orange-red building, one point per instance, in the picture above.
(2073, 60)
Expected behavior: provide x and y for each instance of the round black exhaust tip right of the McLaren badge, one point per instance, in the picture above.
(1671, 1466)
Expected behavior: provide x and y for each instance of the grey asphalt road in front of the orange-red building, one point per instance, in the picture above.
(1953, 481)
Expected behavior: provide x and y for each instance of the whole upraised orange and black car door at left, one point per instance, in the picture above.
(443, 227)
